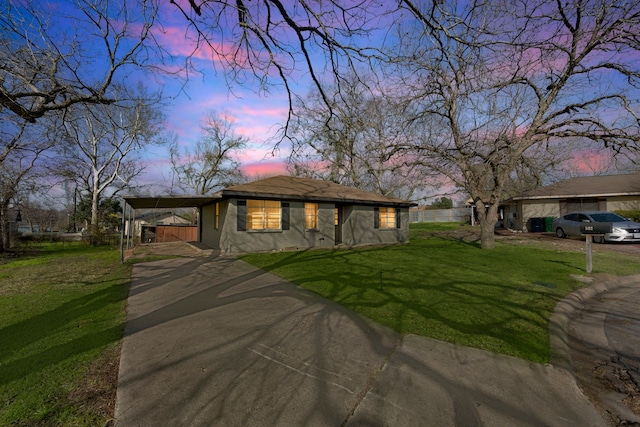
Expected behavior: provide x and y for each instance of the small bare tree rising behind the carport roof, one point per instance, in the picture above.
(209, 165)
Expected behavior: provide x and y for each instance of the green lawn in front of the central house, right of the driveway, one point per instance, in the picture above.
(442, 285)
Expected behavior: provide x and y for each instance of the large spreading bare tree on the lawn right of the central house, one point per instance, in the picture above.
(502, 78)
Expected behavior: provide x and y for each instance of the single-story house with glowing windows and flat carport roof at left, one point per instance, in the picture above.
(284, 212)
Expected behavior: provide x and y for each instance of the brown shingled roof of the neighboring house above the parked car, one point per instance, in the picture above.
(587, 186)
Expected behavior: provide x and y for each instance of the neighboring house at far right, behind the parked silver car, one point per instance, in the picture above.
(590, 193)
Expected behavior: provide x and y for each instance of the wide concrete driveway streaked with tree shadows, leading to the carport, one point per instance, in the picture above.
(215, 341)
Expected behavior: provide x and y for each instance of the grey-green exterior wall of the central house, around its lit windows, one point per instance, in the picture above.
(357, 228)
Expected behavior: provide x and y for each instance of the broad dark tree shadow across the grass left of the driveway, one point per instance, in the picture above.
(16, 337)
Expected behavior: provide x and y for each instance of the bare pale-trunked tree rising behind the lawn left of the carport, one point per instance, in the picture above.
(102, 146)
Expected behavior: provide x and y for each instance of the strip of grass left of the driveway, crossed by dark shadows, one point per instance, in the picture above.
(62, 308)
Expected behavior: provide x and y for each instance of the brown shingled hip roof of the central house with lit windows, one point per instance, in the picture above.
(293, 188)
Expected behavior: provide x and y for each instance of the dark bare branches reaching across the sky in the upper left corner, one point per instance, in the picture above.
(53, 58)
